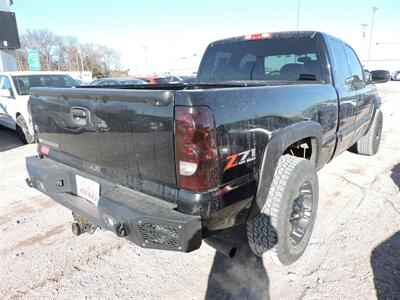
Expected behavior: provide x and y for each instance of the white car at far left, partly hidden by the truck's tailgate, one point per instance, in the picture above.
(14, 96)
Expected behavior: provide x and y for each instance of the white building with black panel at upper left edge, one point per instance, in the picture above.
(9, 38)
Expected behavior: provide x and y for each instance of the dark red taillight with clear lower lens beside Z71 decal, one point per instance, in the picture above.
(195, 148)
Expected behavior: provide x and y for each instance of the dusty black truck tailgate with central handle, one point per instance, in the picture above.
(123, 133)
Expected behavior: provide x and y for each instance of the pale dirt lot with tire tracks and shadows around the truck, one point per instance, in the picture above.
(354, 252)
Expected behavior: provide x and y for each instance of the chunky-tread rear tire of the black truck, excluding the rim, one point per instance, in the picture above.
(268, 234)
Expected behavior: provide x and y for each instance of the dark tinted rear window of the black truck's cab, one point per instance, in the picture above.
(287, 59)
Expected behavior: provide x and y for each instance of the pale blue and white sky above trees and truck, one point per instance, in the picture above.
(157, 36)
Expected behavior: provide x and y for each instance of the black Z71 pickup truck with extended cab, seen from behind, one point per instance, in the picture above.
(167, 166)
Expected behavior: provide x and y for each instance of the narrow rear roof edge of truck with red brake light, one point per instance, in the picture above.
(269, 35)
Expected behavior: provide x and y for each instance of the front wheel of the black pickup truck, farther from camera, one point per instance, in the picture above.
(368, 144)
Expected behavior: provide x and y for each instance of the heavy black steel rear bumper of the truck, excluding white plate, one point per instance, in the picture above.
(149, 222)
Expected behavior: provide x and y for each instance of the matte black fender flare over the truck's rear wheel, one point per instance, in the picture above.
(276, 146)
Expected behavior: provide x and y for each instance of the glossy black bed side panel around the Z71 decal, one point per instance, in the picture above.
(246, 118)
